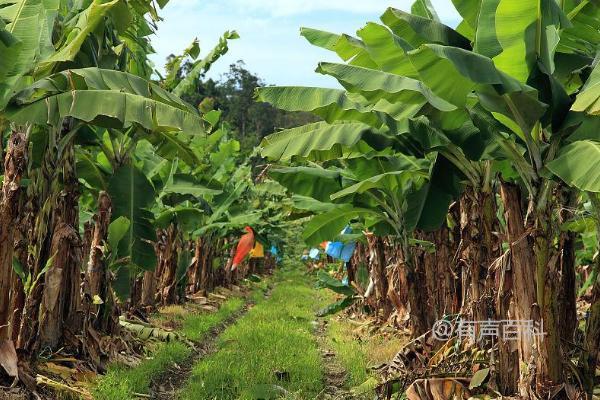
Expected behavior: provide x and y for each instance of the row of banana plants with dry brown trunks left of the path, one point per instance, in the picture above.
(117, 196)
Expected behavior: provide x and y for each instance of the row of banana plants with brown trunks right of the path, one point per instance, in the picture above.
(470, 158)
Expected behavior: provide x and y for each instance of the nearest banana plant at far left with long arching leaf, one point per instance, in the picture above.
(62, 89)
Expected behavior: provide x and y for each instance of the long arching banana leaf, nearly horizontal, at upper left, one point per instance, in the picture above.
(106, 98)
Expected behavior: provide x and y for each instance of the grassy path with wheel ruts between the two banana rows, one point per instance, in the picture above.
(267, 346)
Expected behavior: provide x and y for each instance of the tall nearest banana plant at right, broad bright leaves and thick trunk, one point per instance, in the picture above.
(507, 85)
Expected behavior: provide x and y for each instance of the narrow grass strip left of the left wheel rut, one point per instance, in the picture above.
(121, 382)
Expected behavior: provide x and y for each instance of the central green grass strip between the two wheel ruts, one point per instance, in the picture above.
(275, 335)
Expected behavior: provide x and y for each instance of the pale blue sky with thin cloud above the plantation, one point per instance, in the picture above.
(270, 43)
